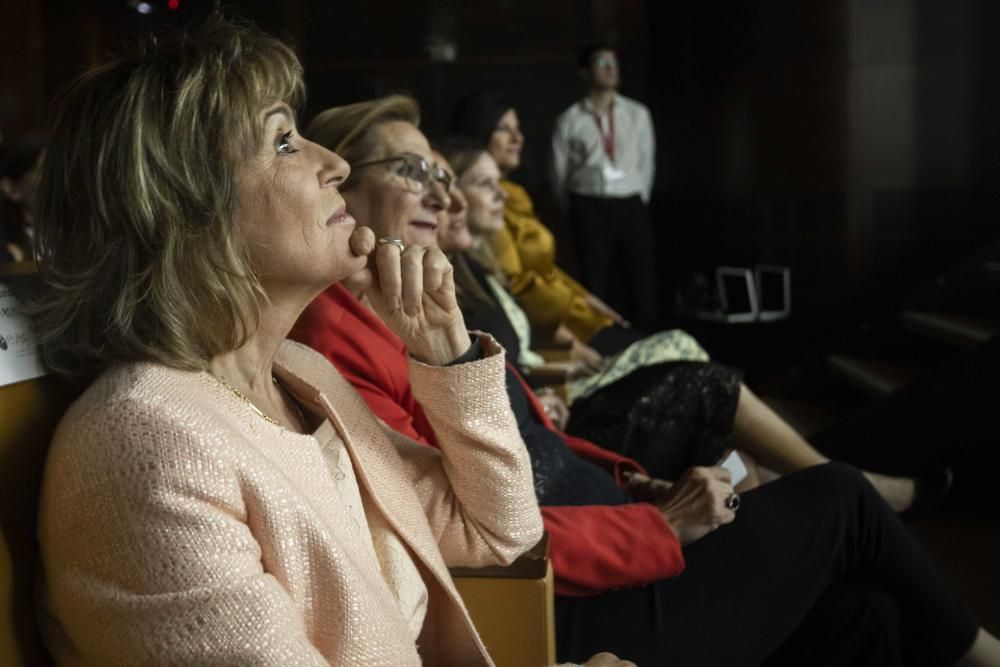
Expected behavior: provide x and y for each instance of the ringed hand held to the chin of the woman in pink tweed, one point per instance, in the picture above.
(414, 294)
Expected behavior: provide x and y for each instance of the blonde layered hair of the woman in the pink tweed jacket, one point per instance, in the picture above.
(136, 234)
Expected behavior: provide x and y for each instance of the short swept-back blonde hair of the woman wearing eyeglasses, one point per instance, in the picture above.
(349, 131)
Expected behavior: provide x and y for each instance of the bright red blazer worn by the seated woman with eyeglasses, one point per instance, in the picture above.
(593, 548)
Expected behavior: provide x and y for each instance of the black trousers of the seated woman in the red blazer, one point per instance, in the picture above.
(816, 570)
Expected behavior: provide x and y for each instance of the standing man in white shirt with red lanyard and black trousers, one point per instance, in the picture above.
(603, 162)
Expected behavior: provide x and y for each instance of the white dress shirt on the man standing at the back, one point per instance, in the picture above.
(581, 163)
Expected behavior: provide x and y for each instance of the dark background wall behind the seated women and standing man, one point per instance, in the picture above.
(853, 140)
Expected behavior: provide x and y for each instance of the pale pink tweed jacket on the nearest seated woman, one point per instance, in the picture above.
(178, 527)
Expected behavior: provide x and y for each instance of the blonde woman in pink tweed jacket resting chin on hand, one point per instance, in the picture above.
(220, 495)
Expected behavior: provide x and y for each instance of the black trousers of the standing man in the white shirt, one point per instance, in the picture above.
(615, 253)
